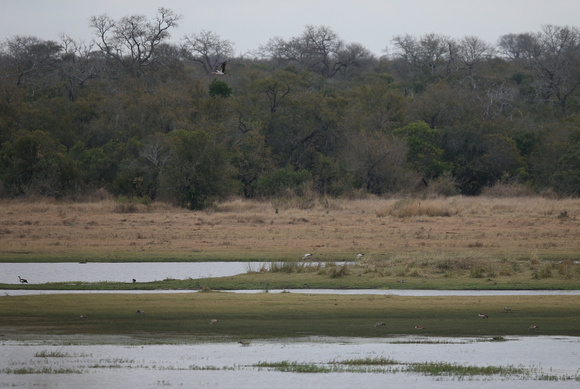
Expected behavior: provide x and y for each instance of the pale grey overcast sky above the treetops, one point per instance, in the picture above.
(251, 23)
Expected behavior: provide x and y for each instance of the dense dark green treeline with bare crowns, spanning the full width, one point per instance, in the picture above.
(142, 117)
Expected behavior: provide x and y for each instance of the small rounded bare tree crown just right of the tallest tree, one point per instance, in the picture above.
(208, 49)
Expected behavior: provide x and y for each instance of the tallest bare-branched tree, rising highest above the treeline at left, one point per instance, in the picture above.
(132, 41)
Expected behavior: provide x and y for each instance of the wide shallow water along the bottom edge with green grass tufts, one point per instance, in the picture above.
(229, 365)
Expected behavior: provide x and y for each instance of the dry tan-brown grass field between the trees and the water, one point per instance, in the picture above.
(330, 229)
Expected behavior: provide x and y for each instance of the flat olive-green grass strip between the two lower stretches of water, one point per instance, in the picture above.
(265, 315)
